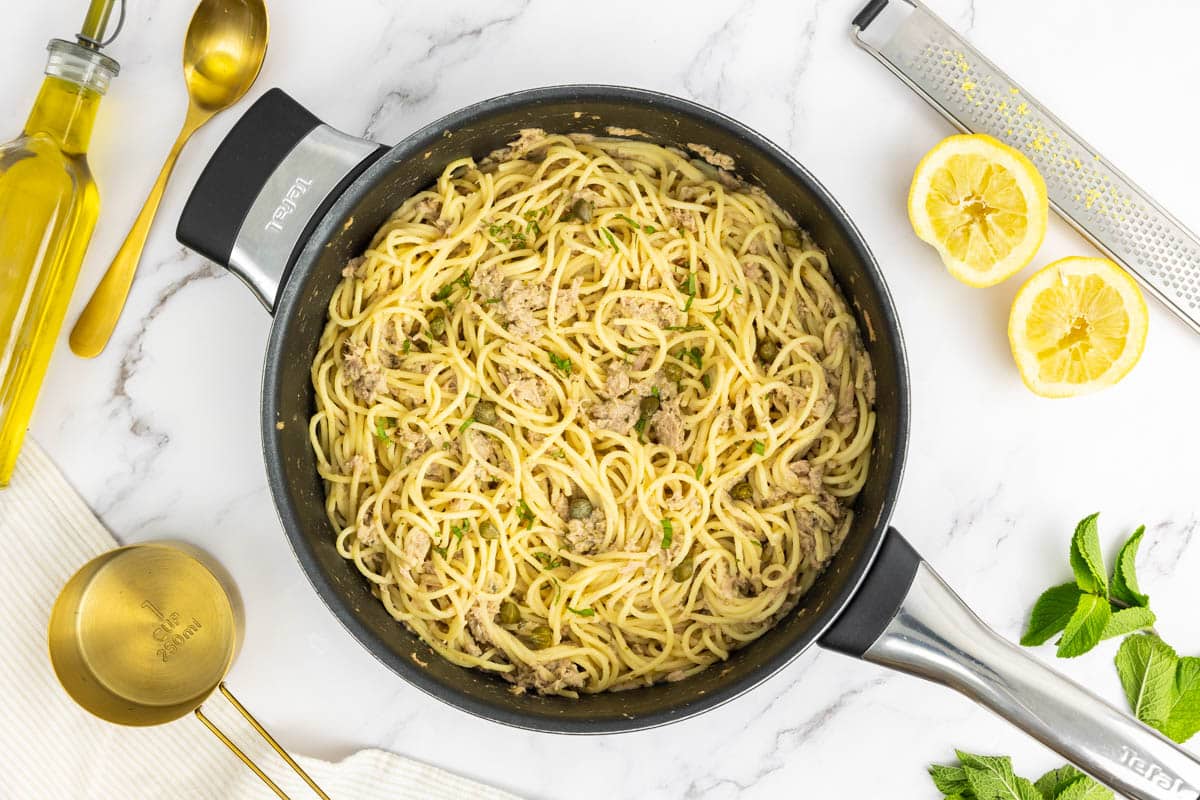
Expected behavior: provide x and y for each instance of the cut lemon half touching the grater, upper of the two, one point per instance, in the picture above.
(982, 204)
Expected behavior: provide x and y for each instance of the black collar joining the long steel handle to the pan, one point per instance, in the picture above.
(878, 600)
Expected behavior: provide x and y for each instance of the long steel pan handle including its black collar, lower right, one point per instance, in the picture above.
(907, 618)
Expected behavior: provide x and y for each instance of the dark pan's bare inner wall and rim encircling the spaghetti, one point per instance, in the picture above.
(347, 230)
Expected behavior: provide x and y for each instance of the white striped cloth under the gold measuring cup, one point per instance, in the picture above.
(53, 750)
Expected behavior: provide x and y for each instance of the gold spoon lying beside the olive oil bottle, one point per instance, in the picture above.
(224, 52)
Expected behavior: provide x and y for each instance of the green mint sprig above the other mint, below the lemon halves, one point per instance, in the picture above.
(1094, 607)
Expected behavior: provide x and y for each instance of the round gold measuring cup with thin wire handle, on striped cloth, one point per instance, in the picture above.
(145, 635)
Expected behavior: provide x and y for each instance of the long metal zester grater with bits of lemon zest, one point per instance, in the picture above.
(1090, 194)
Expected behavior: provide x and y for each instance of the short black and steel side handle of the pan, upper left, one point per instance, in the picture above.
(267, 185)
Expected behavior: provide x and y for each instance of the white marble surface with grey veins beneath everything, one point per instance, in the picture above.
(160, 434)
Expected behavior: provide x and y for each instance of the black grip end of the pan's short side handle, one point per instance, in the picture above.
(237, 172)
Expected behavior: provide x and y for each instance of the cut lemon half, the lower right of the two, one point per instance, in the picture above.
(1077, 326)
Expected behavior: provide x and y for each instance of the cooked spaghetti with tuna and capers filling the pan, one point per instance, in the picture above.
(591, 414)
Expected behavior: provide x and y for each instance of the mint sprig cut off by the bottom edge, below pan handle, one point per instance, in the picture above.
(992, 778)
